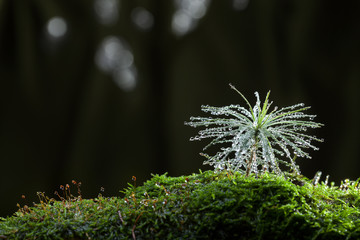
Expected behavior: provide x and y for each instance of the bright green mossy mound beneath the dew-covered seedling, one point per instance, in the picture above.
(207, 205)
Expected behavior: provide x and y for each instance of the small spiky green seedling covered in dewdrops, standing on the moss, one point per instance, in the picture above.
(253, 139)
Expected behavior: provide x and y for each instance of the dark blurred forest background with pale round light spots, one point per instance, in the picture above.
(98, 90)
